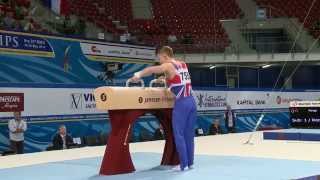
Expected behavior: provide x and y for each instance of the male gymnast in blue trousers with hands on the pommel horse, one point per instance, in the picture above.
(184, 113)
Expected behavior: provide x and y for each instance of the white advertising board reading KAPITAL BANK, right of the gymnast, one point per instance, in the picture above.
(217, 100)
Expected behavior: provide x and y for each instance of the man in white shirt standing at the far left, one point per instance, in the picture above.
(17, 127)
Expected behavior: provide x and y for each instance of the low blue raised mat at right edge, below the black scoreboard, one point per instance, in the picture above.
(293, 135)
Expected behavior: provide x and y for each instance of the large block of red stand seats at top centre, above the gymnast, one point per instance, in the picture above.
(197, 19)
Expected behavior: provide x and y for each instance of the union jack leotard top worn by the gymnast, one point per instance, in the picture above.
(180, 84)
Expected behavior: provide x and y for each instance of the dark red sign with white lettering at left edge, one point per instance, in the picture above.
(11, 102)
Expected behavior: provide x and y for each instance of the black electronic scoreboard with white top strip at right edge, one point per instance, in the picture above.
(305, 114)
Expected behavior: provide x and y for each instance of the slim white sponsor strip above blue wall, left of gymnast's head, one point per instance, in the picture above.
(118, 50)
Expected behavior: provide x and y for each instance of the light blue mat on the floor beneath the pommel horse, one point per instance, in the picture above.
(206, 167)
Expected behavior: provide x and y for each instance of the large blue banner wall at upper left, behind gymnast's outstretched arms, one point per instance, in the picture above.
(37, 60)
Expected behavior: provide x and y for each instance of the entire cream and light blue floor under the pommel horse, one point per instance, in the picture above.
(219, 157)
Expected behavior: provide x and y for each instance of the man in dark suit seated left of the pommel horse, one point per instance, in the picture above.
(62, 140)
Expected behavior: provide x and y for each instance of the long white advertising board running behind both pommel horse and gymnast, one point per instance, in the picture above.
(75, 101)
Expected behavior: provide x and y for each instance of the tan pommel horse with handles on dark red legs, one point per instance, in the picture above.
(125, 105)
